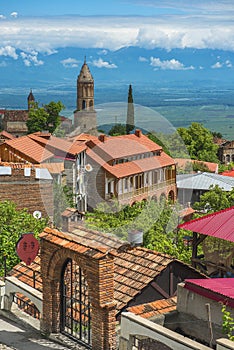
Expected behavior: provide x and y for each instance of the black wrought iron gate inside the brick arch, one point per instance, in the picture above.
(75, 304)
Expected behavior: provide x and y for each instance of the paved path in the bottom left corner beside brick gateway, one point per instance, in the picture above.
(17, 337)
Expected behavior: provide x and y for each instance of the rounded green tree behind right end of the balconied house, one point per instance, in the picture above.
(199, 142)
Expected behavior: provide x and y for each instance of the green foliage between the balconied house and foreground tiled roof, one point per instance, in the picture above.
(158, 221)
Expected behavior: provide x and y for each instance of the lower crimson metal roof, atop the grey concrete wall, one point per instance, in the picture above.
(219, 289)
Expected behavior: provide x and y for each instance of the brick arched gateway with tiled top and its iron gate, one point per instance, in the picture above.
(78, 294)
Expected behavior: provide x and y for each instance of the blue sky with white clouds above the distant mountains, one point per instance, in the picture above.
(29, 28)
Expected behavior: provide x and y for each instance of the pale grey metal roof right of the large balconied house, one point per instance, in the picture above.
(203, 181)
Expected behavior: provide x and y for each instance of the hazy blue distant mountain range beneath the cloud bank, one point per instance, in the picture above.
(186, 67)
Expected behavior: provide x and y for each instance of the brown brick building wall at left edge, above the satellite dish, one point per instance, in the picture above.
(27, 192)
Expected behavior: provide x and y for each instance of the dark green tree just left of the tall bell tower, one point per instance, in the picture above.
(45, 117)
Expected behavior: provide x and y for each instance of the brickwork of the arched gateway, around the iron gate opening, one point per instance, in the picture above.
(99, 274)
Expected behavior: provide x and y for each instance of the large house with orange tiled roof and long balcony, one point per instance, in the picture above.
(129, 168)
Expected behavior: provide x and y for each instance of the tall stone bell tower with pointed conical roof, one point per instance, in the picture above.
(85, 115)
